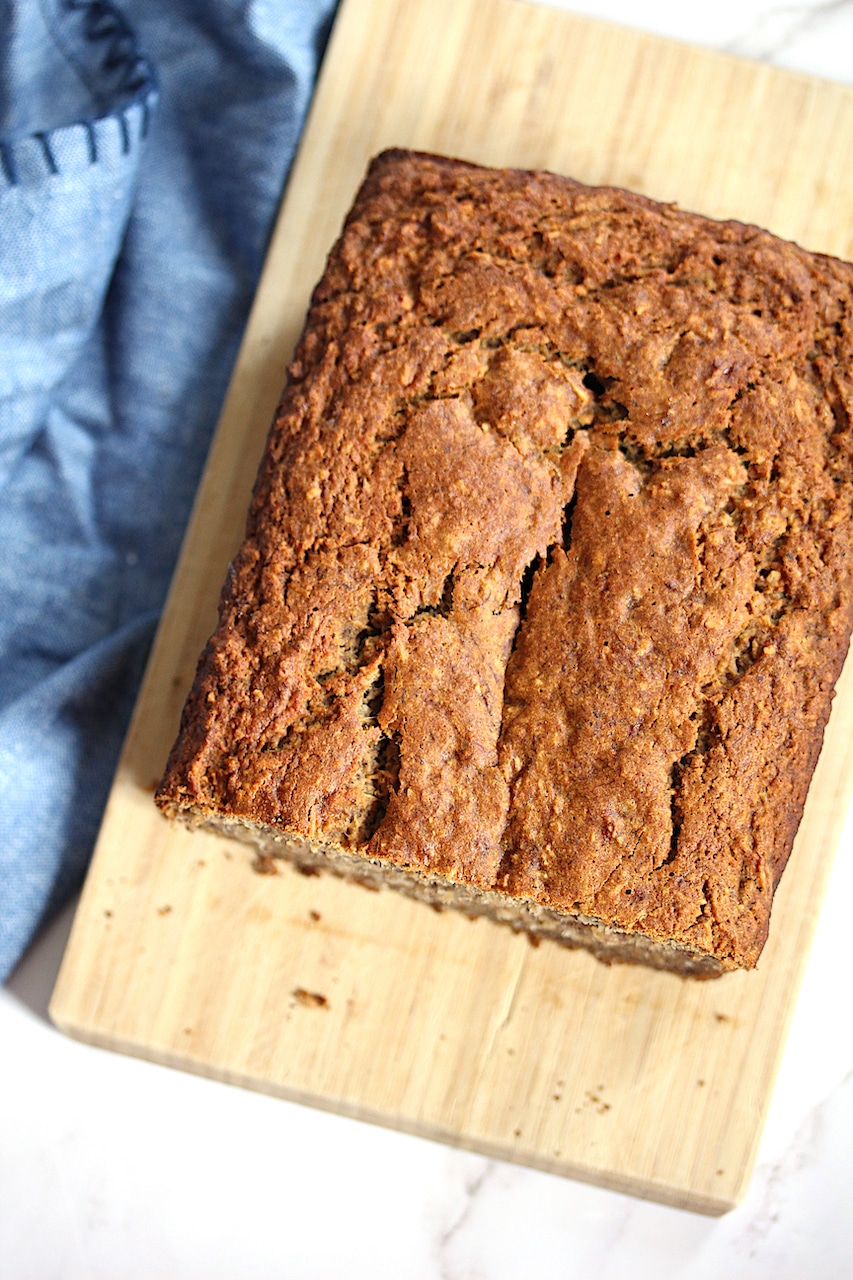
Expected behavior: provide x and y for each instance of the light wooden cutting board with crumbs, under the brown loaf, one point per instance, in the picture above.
(366, 1003)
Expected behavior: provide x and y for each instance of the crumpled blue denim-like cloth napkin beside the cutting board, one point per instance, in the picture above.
(138, 193)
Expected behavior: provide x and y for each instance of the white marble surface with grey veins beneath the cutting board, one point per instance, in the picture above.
(116, 1169)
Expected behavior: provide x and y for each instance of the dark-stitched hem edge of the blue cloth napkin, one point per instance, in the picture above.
(134, 90)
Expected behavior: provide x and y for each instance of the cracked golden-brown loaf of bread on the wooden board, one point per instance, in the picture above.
(546, 583)
